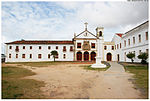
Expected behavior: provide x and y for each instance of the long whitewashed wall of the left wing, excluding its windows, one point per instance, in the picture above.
(35, 51)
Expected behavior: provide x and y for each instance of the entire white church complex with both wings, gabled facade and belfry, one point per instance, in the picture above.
(83, 47)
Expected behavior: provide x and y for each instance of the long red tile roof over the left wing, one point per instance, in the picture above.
(40, 42)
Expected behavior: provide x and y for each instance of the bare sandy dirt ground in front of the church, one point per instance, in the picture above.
(72, 81)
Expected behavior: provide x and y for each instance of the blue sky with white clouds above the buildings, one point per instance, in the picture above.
(53, 20)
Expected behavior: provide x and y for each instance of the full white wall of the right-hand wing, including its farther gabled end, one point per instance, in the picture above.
(143, 45)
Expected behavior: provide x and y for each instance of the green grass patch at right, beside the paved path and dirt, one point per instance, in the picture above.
(140, 79)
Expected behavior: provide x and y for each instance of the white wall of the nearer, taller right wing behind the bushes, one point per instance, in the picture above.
(143, 45)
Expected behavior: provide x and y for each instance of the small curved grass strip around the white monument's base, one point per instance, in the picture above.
(88, 67)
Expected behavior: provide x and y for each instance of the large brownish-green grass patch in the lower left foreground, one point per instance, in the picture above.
(15, 87)
